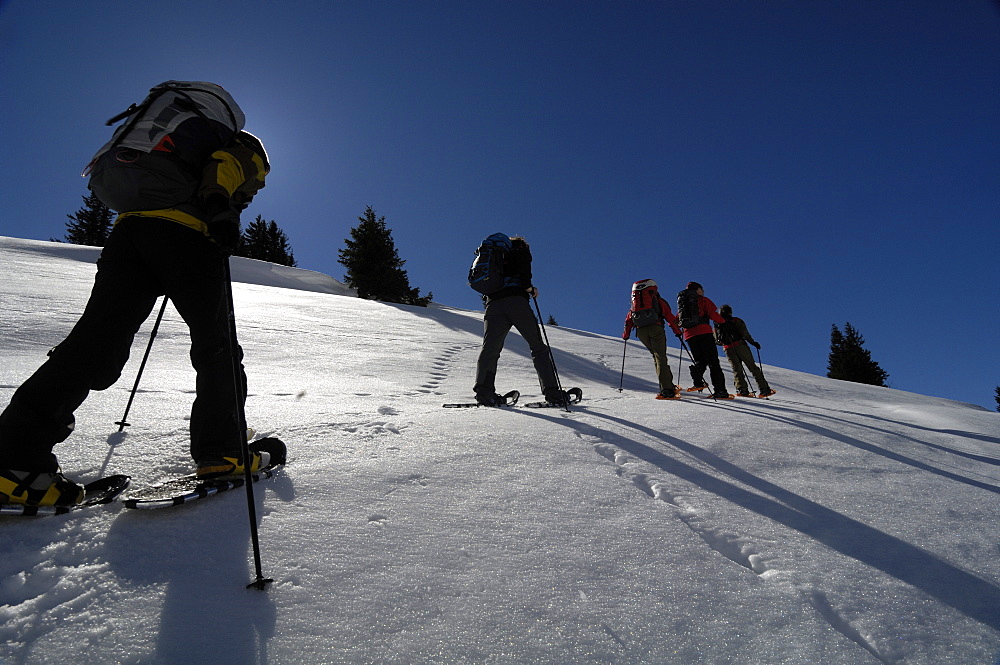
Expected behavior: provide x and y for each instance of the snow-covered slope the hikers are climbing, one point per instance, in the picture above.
(835, 523)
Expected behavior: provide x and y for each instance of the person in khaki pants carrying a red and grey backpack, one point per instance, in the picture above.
(648, 315)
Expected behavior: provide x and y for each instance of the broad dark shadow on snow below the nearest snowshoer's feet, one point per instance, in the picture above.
(199, 555)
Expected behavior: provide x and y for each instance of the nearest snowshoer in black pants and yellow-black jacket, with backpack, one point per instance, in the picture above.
(179, 171)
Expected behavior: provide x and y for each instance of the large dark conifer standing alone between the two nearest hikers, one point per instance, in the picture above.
(373, 265)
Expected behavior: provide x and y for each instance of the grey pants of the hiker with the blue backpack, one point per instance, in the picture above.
(501, 316)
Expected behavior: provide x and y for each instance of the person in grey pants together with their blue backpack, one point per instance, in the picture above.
(502, 274)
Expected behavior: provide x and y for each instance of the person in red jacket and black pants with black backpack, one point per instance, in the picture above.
(695, 313)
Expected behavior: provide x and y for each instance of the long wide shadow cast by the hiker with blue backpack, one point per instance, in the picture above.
(970, 594)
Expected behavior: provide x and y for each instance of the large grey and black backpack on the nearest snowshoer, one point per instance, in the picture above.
(154, 160)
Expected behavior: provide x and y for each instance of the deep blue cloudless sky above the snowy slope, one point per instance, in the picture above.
(810, 163)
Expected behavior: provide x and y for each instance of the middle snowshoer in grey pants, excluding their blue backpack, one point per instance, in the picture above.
(509, 307)
